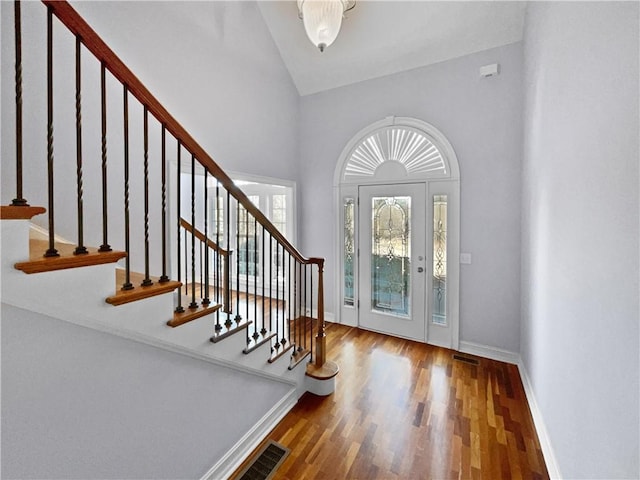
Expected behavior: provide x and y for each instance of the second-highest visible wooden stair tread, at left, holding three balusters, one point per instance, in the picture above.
(38, 263)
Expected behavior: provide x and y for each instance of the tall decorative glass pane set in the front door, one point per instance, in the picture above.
(390, 255)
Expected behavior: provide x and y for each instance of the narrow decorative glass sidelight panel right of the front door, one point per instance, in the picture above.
(439, 315)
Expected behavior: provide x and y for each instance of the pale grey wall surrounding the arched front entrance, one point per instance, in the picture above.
(482, 120)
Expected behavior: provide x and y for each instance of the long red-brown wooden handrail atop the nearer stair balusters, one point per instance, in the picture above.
(92, 41)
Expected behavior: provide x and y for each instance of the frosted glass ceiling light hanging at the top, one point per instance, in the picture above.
(322, 19)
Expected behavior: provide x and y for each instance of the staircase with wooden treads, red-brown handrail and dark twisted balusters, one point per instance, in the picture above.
(181, 258)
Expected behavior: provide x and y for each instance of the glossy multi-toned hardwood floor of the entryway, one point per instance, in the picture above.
(406, 410)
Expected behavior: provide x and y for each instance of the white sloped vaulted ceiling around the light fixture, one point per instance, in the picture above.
(383, 37)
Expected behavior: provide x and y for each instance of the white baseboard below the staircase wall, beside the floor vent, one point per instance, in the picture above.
(243, 448)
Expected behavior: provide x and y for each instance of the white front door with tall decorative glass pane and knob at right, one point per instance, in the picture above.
(392, 253)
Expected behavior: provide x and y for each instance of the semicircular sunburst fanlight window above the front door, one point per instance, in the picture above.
(406, 146)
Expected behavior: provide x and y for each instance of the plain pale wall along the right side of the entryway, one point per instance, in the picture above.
(579, 339)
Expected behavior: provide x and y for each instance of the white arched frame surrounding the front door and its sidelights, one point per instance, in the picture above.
(349, 175)
